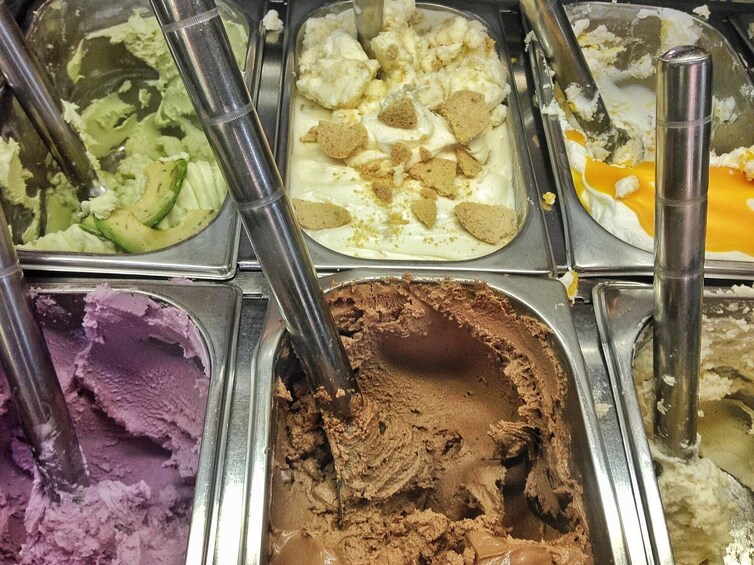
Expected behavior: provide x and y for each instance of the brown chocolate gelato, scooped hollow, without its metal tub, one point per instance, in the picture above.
(473, 395)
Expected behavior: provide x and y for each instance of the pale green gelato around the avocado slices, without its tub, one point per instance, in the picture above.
(125, 130)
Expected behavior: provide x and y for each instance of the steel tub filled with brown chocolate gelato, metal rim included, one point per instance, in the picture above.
(571, 454)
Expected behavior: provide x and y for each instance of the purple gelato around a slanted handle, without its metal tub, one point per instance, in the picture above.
(135, 375)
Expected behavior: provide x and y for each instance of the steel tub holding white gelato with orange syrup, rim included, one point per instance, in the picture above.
(608, 209)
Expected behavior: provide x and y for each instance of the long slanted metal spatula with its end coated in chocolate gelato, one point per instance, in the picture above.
(200, 48)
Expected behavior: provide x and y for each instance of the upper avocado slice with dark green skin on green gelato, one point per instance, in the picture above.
(164, 181)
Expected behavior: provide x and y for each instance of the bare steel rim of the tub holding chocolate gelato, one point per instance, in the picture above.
(541, 298)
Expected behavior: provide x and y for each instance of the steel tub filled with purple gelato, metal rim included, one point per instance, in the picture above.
(147, 369)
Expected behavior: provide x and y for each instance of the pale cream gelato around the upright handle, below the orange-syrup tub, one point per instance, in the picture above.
(698, 497)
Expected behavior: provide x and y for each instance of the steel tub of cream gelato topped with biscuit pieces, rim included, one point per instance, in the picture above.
(400, 195)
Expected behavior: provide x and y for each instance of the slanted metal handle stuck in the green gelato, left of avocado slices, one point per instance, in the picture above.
(33, 90)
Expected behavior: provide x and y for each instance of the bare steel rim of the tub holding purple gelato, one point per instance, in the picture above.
(215, 311)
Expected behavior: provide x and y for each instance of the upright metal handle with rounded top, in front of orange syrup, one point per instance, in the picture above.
(684, 108)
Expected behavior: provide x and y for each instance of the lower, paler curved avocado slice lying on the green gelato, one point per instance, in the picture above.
(128, 233)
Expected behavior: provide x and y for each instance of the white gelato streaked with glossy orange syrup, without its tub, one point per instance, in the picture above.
(621, 197)
